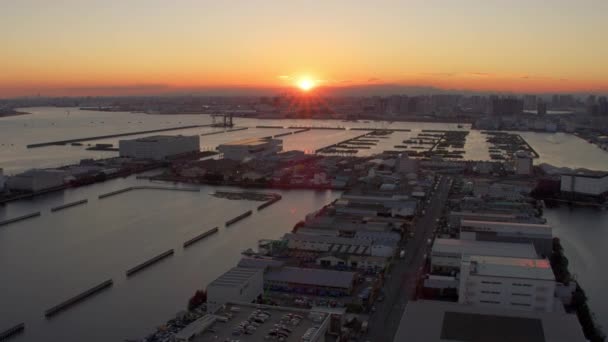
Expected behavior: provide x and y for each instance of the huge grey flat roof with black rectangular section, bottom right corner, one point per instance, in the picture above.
(428, 321)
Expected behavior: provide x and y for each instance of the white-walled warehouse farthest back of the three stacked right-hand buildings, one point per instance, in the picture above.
(540, 235)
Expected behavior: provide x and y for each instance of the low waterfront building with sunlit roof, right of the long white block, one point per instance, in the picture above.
(250, 148)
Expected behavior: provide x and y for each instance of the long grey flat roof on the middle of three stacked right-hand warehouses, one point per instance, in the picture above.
(472, 247)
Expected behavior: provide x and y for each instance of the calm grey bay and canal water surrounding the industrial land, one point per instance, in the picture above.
(48, 259)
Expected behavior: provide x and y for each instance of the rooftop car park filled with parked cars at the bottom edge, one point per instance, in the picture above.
(299, 321)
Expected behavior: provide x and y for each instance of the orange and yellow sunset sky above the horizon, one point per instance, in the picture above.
(76, 47)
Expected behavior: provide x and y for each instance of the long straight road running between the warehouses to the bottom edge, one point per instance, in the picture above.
(401, 286)
